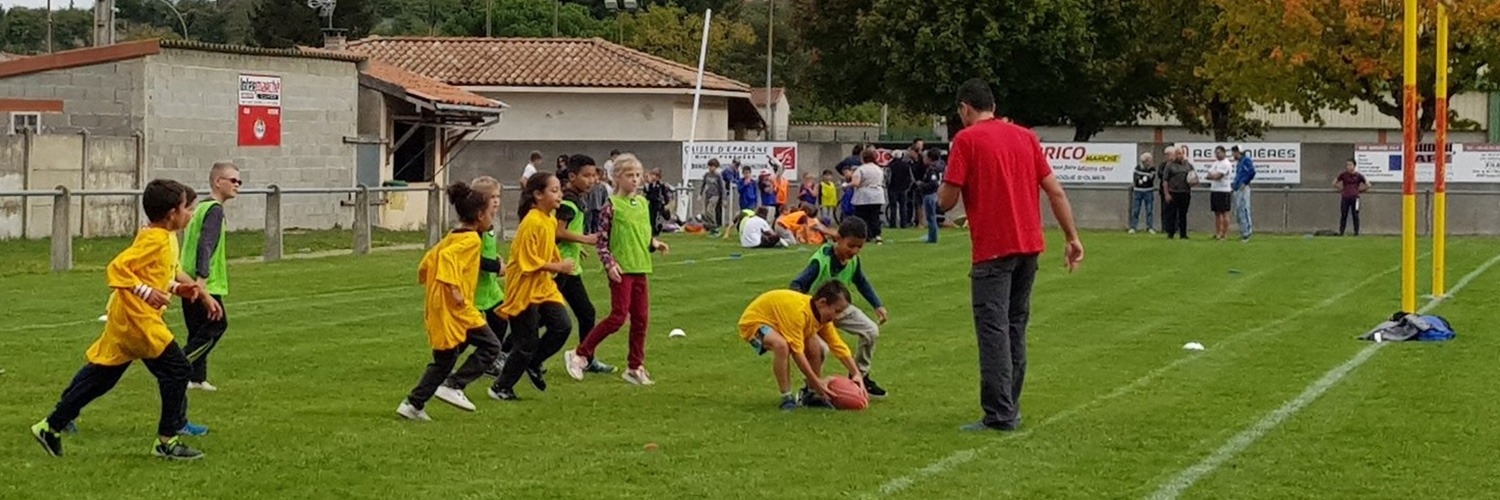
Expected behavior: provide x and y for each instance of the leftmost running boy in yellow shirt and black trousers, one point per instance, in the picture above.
(142, 279)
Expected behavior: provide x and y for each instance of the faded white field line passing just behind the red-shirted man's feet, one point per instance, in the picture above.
(962, 457)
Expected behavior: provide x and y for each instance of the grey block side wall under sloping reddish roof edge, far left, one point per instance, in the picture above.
(104, 100)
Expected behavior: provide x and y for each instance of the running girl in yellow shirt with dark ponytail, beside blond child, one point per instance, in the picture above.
(532, 292)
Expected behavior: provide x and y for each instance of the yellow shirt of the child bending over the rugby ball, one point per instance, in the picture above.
(791, 315)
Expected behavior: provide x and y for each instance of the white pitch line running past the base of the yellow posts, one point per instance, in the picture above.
(1189, 477)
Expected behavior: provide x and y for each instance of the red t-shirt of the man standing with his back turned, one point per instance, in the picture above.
(998, 167)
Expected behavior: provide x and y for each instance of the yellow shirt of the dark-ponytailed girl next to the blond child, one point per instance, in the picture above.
(535, 247)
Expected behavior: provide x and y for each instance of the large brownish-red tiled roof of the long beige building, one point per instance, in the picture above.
(536, 62)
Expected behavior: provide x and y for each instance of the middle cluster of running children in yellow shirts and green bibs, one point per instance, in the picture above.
(542, 282)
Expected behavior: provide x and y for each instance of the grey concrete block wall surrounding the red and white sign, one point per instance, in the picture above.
(194, 100)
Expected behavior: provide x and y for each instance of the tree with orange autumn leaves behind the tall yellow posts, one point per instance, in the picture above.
(1327, 56)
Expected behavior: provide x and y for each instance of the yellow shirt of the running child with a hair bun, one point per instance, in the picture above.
(452, 264)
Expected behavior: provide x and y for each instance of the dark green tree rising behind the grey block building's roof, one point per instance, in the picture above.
(292, 23)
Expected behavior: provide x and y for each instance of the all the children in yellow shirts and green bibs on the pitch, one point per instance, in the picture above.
(473, 300)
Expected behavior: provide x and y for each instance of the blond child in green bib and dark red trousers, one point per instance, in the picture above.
(625, 247)
